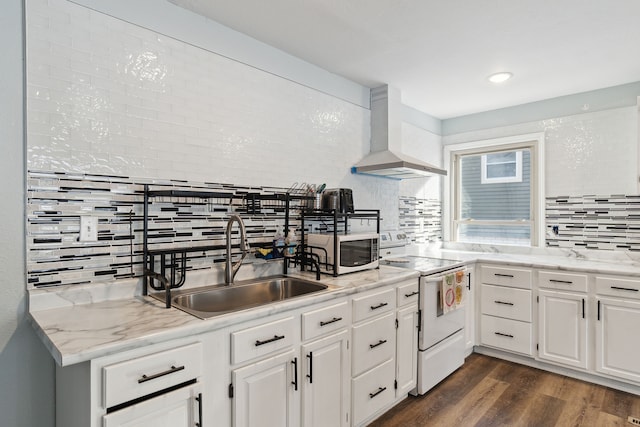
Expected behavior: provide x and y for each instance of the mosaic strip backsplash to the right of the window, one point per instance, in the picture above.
(594, 222)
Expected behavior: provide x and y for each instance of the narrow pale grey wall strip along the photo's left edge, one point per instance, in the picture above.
(26, 369)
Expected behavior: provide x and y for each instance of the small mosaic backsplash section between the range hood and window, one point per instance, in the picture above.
(421, 219)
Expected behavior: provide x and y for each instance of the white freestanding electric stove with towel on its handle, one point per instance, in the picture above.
(441, 344)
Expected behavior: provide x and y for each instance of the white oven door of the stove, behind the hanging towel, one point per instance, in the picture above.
(435, 324)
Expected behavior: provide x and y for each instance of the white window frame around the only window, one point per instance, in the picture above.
(451, 207)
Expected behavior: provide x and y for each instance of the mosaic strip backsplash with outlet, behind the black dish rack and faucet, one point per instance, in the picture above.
(57, 200)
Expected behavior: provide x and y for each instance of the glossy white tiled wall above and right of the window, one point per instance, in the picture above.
(586, 154)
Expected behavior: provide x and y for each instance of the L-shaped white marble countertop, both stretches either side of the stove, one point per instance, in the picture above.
(84, 329)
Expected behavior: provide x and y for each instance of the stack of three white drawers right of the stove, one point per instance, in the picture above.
(506, 314)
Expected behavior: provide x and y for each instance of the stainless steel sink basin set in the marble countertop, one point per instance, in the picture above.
(214, 301)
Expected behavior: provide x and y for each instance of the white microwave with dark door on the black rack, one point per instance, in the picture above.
(346, 252)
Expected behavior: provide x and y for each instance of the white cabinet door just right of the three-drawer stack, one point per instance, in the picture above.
(562, 328)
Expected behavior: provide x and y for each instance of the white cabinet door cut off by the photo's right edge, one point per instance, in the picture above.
(617, 344)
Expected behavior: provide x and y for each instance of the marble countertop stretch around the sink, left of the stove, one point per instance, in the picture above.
(79, 332)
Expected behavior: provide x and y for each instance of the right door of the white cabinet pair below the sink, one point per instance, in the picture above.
(325, 383)
